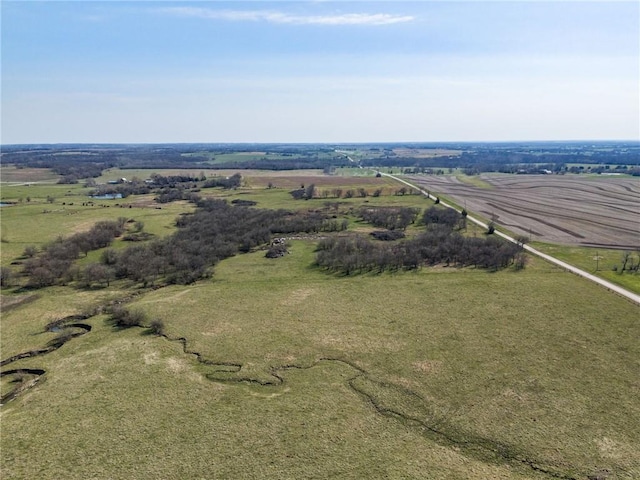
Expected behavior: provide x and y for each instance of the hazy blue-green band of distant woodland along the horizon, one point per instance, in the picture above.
(76, 162)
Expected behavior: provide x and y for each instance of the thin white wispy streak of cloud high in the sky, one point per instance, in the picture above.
(371, 19)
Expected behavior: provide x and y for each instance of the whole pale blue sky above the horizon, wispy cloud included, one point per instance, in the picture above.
(319, 71)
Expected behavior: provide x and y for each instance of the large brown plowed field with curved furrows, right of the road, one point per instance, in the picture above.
(594, 211)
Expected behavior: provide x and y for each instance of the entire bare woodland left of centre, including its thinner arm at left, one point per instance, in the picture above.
(215, 231)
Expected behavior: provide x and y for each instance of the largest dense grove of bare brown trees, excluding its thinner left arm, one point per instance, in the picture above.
(214, 232)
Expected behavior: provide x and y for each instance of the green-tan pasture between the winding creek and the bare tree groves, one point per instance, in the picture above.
(500, 356)
